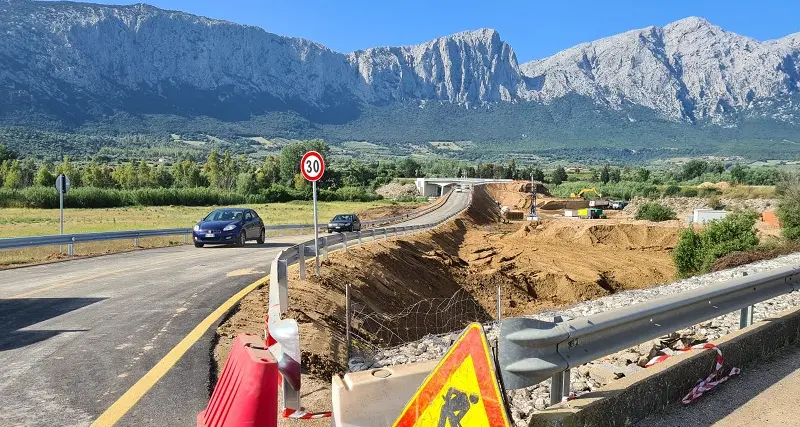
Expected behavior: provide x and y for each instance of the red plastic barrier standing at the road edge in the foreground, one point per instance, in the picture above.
(247, 391)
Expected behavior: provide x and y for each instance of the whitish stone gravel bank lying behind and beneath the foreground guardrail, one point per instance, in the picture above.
(595, 375)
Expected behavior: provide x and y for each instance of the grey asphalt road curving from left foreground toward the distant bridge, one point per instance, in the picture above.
(75, 335)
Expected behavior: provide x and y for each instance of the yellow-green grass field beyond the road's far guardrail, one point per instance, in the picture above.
(20, 222)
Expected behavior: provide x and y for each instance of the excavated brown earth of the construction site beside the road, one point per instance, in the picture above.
(551, 261)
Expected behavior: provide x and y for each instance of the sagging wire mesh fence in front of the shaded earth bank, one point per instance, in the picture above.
(372, 333)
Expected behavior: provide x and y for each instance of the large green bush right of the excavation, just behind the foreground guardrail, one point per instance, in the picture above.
(696, 252)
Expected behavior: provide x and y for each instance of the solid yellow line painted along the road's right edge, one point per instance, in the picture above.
(124, 404)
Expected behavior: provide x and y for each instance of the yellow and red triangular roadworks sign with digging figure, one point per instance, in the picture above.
(461, 391)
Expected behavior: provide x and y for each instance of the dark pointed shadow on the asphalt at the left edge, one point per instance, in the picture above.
(16, 314)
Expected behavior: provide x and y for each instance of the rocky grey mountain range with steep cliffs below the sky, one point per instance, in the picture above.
(73, 63)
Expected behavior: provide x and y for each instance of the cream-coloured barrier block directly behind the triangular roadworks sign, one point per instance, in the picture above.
(375, 398)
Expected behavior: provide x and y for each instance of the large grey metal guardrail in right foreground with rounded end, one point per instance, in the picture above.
(530, 350)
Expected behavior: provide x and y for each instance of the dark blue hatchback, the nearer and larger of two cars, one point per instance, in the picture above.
(229, 226)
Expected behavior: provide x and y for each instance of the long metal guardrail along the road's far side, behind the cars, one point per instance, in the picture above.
(135, 235)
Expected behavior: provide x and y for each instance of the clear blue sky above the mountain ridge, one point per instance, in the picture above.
(534, 28)
